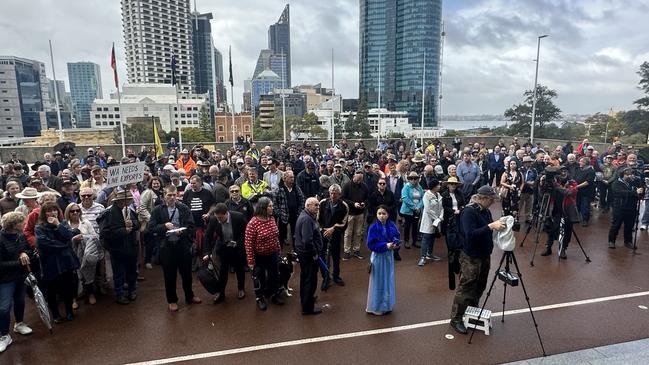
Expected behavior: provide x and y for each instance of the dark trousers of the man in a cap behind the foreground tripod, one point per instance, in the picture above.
(474, 272)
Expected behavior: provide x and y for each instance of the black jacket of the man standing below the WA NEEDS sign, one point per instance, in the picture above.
(114, 233)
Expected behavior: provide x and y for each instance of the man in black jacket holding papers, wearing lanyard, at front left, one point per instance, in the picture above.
(173, 225)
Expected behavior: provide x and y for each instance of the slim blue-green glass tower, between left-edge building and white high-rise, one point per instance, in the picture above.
(85, 87)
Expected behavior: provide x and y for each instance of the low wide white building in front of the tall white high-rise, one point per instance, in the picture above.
(148, 101)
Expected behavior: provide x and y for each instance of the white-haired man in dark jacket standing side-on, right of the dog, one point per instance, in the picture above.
(308, 245)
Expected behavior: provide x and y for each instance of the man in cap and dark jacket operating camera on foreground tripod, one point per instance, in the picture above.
(476, 226)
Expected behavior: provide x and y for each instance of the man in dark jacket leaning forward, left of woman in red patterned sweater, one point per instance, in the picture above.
(224, 237)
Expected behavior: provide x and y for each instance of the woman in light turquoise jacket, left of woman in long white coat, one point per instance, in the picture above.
(412, 196)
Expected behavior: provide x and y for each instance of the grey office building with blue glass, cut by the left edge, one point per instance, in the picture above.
(24, 97)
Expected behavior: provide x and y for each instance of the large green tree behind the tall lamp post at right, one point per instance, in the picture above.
(521, 114)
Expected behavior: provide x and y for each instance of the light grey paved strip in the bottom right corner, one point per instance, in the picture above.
(632, 352)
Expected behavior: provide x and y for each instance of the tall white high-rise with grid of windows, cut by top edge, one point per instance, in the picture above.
(154, 30)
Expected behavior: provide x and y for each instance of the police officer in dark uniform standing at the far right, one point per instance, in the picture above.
(625, 193)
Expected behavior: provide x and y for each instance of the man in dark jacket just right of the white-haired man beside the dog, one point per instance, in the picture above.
(333, 221)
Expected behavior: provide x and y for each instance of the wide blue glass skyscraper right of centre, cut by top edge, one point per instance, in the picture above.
(401, 34)
